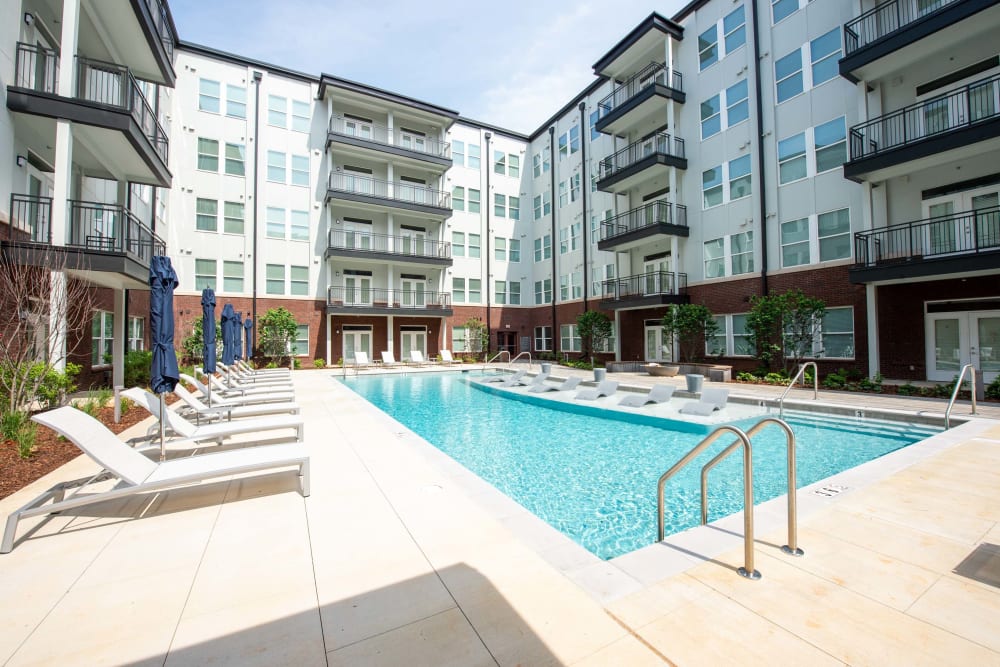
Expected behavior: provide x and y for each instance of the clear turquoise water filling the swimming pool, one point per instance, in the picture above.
(594, 478)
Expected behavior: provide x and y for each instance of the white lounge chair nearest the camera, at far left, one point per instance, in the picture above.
(138, 474)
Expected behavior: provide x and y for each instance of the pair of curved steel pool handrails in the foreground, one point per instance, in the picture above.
(744, 439)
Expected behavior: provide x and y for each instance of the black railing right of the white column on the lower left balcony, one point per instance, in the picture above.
(111, 228)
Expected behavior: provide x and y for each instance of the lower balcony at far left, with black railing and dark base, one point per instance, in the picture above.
(101, 239)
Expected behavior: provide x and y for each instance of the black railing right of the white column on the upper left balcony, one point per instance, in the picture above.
(114, 85)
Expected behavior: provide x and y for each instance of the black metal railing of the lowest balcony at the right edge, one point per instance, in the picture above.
(969, 232)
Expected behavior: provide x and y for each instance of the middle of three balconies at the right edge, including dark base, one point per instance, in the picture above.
(950, 127)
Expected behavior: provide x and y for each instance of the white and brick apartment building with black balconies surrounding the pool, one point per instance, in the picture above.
(735, 149)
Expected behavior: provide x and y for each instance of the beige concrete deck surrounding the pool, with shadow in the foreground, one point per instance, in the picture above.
(401, 556)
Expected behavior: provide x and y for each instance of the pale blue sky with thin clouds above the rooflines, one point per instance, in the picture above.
(511, 64)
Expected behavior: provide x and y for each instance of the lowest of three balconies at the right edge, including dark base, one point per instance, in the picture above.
(947, 245)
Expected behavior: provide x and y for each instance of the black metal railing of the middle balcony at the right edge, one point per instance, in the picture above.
(958, 109)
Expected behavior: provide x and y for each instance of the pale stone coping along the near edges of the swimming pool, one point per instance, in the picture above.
(610, 580)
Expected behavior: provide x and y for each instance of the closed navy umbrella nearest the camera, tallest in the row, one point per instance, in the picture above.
(164, 373)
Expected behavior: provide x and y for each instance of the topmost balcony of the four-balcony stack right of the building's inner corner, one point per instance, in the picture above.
(643, 96)
